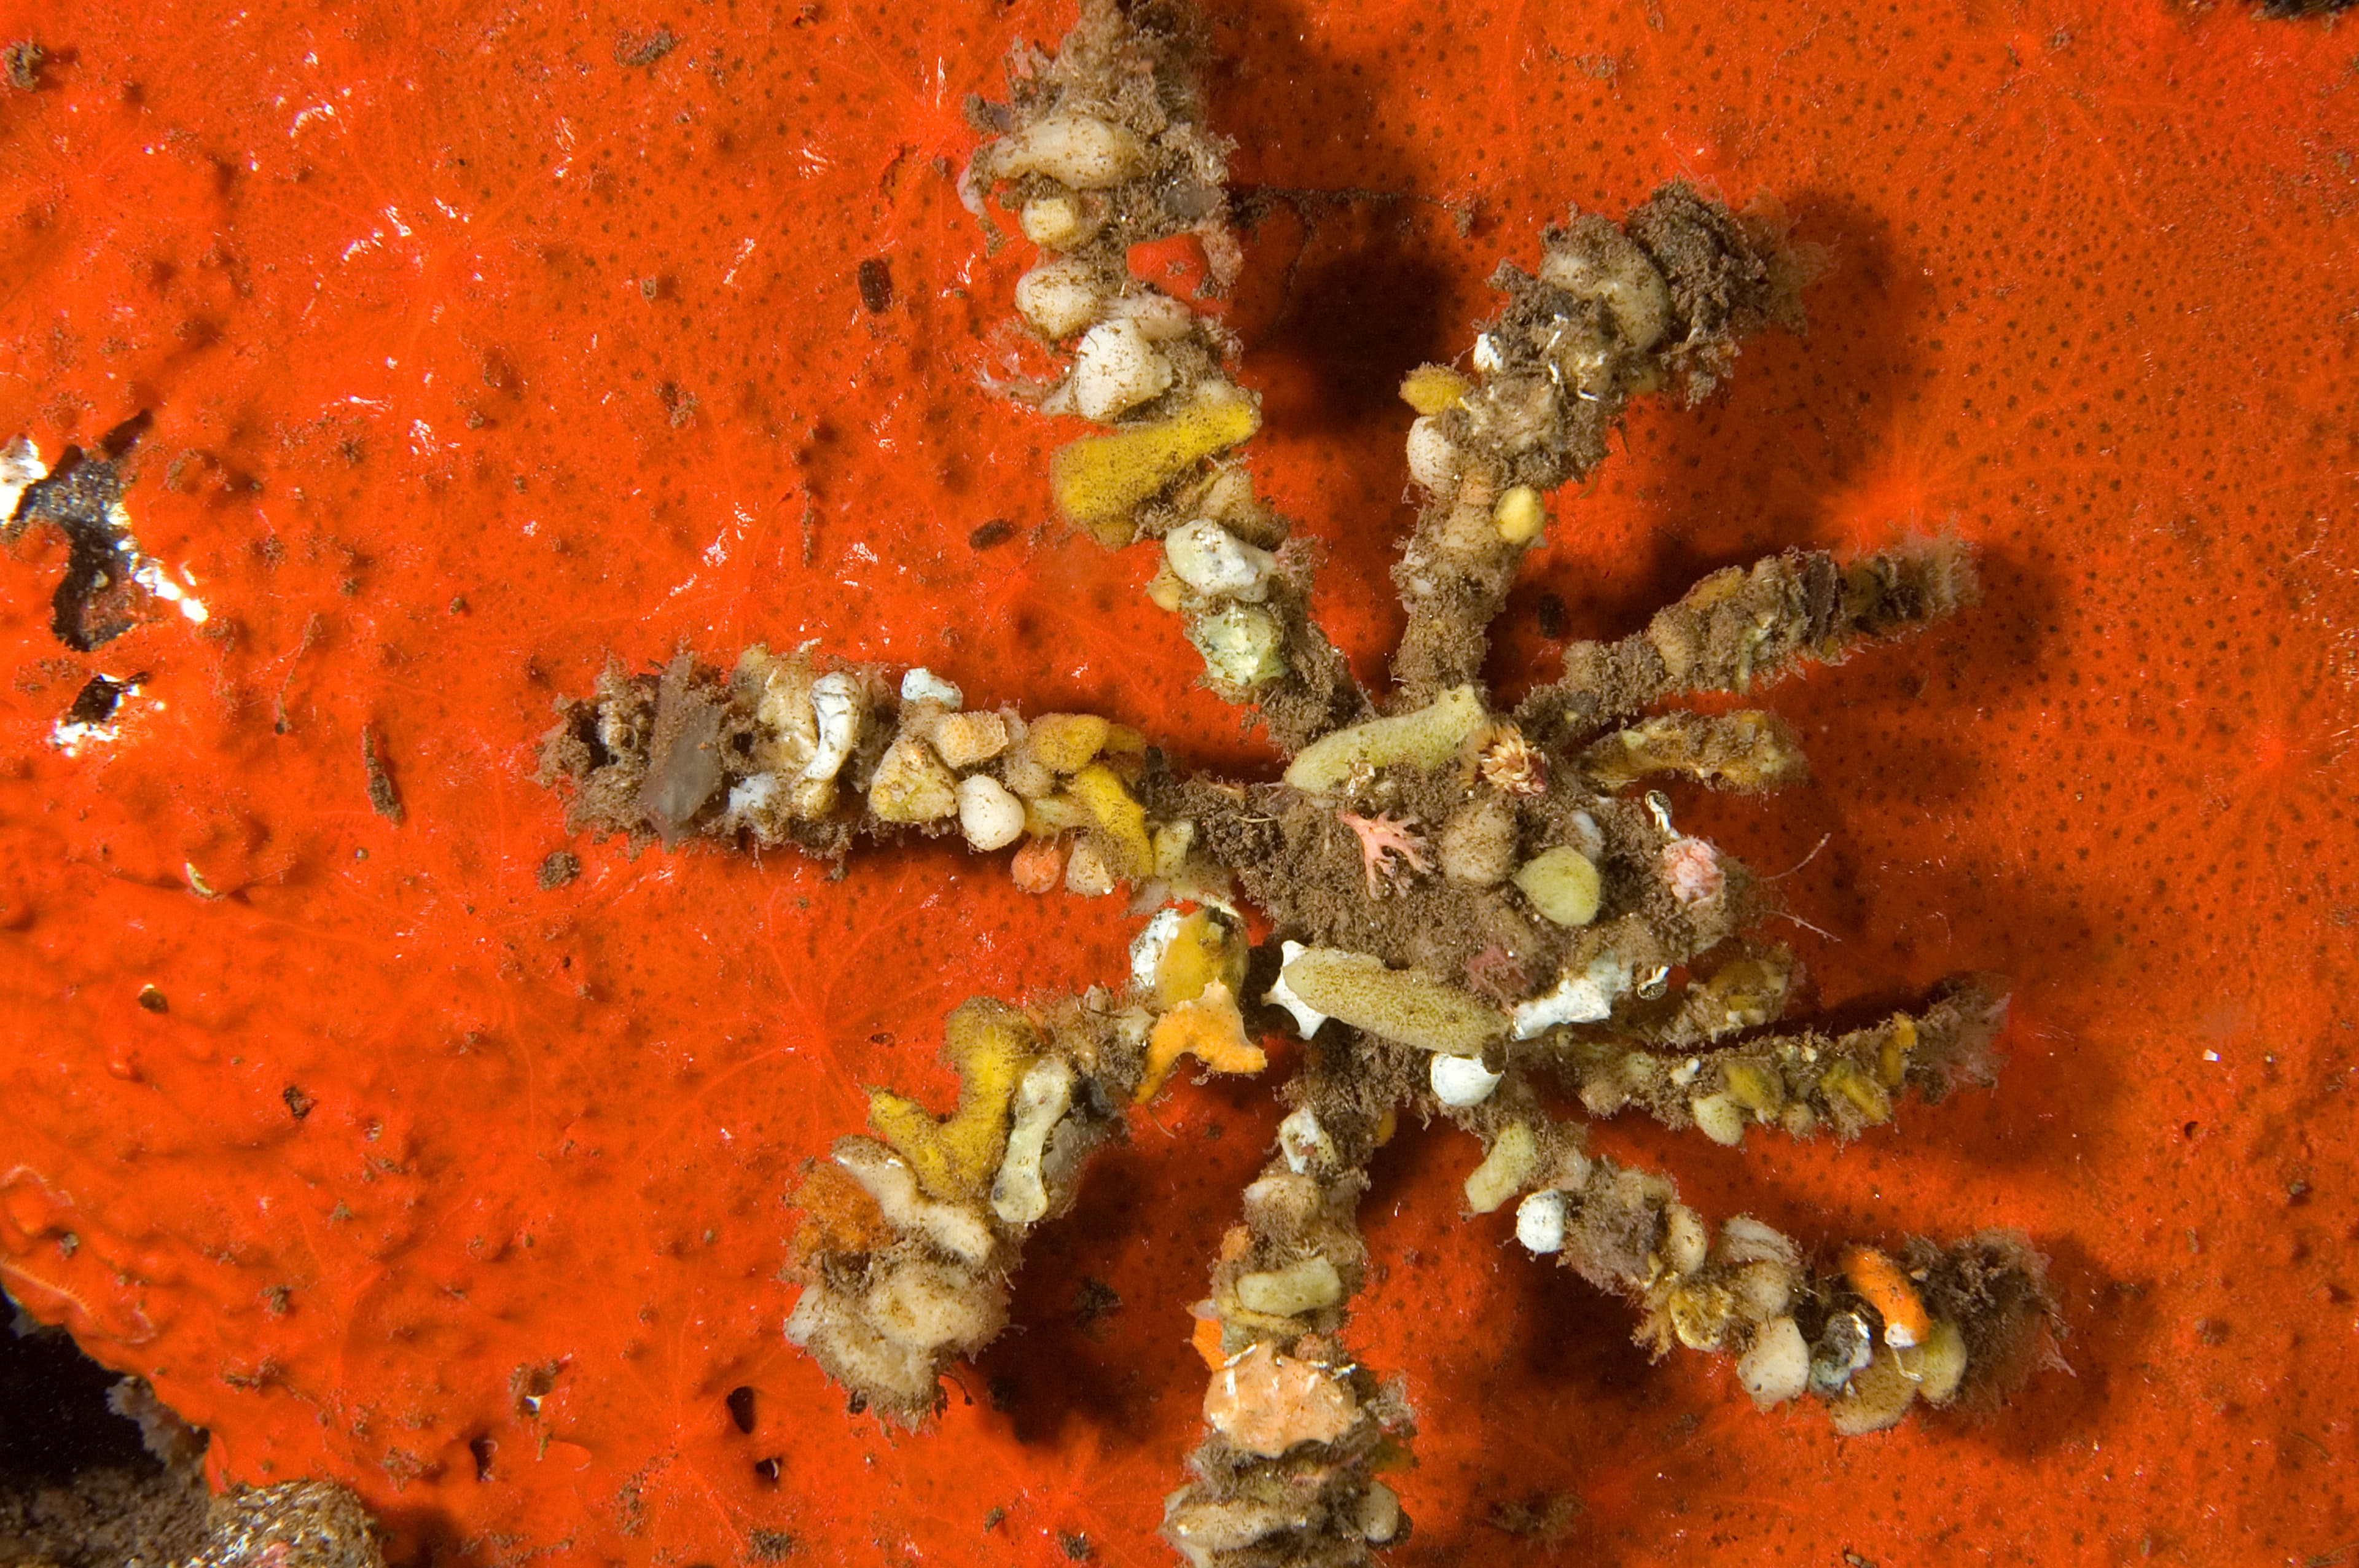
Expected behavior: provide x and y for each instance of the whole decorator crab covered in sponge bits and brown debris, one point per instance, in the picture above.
(1464, 902)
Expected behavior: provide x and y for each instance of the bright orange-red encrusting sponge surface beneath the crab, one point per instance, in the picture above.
(482, 345)
